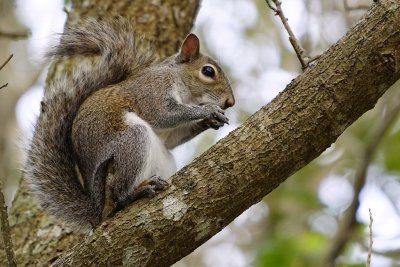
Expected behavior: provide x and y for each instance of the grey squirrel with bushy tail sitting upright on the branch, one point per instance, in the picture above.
(125, 109)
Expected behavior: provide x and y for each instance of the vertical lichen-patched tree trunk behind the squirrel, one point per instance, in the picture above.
(39, 239)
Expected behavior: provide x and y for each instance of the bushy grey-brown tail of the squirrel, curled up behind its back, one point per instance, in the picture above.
(50, 167)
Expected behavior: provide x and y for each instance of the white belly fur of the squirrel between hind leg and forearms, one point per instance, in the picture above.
(159, 160)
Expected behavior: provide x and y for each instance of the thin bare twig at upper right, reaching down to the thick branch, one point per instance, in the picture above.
(304, 60)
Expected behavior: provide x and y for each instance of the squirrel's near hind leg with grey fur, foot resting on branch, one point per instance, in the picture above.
(134, 160)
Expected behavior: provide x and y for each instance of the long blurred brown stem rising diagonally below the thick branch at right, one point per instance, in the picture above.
(350, 222)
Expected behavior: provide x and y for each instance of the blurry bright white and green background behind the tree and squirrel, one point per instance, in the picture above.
(294, 225)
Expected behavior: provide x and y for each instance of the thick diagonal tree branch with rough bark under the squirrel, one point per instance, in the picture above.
(253, 160)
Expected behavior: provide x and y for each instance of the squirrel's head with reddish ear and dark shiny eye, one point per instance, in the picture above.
(203, 76)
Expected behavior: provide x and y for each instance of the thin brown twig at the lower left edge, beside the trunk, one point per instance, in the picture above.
(5, 231)
